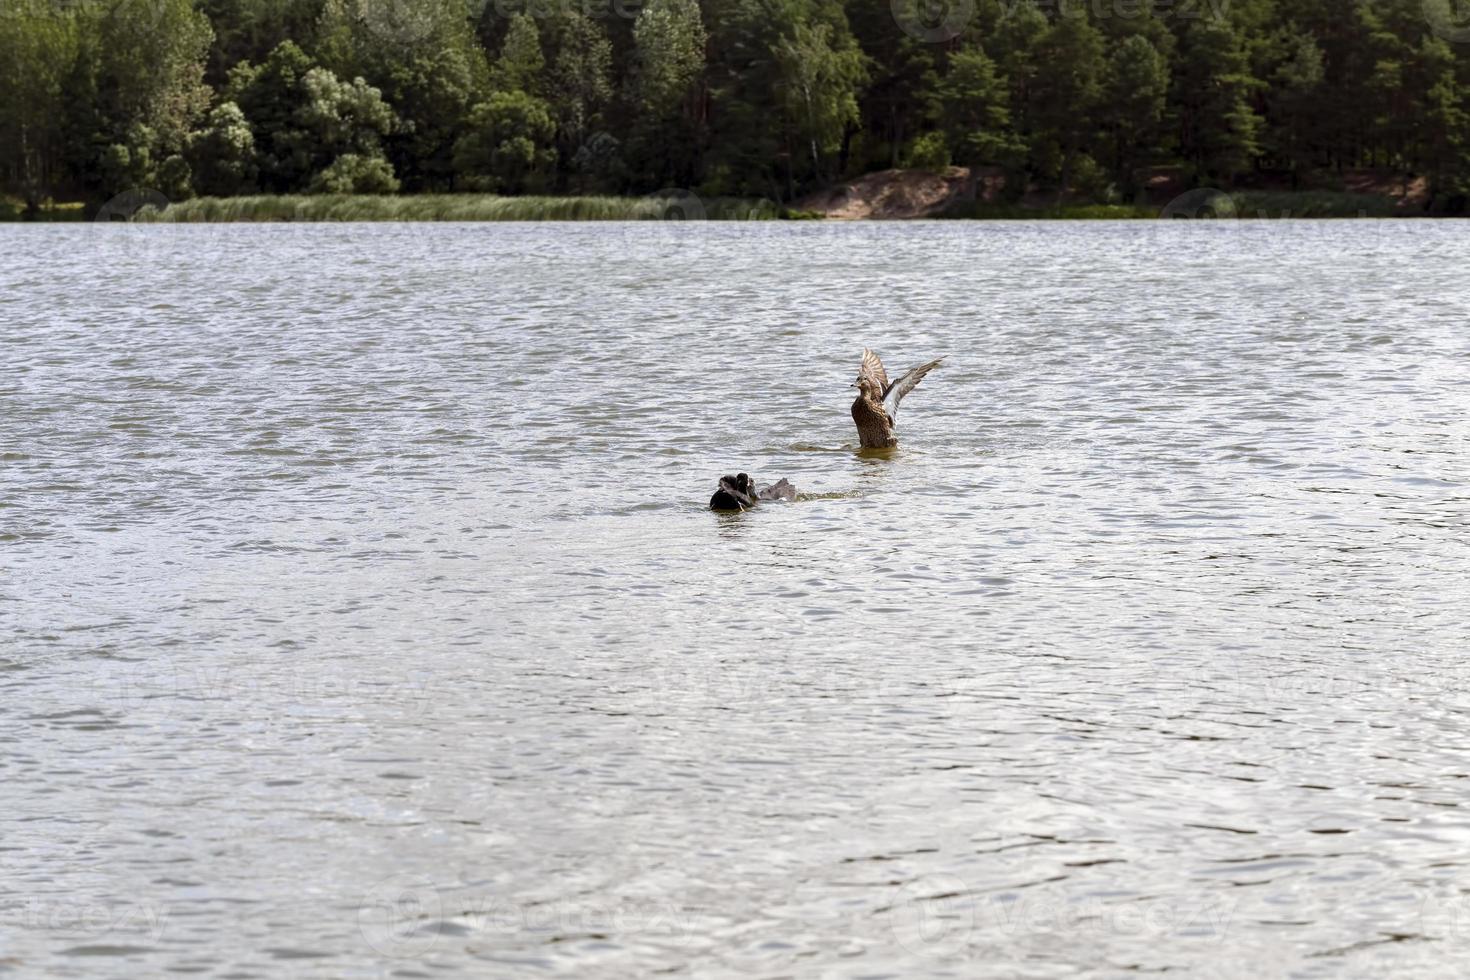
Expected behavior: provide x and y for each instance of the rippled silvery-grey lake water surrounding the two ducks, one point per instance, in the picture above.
(362, 615)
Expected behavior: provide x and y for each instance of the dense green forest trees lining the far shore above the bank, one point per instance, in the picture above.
(728, 98)
